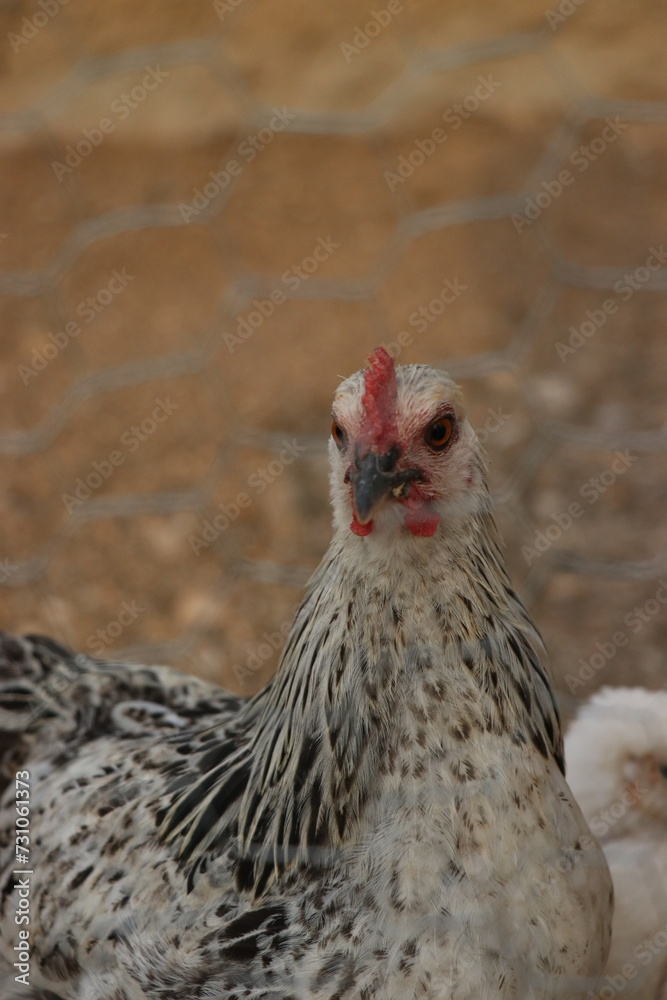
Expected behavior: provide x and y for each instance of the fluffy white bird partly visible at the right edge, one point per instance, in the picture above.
(616, 751)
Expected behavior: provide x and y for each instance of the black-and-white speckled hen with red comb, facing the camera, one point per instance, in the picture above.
(388, 818)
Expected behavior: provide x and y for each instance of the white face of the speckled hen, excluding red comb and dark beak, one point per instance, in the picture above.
(445, 484)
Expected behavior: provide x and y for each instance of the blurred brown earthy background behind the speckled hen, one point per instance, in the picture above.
(212, 211)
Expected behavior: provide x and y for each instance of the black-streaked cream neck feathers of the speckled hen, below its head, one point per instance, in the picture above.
(382, 650)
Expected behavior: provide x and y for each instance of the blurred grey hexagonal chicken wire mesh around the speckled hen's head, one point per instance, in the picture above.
(643, 562)
